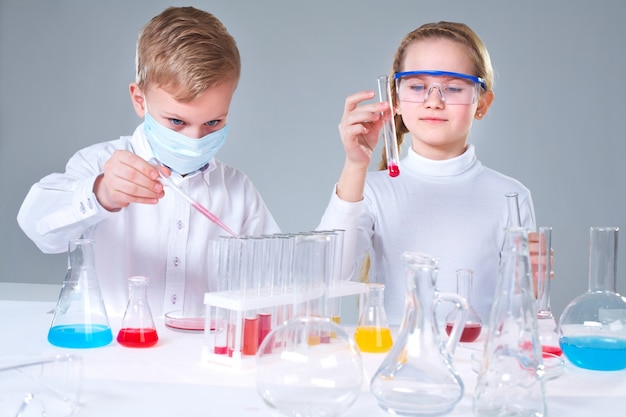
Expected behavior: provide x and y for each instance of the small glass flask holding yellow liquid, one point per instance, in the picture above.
(373, 334)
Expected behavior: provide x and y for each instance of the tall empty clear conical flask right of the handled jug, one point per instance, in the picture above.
(510, 377)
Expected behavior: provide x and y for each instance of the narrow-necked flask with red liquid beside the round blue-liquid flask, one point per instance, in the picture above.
(548, 334)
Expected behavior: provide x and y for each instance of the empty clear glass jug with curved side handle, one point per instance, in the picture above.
(417, 376)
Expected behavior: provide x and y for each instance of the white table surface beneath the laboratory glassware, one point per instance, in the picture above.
(170, 380)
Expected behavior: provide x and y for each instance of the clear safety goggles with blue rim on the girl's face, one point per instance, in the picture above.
(454, 87)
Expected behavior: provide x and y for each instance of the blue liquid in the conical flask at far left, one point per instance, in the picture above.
(80, 335)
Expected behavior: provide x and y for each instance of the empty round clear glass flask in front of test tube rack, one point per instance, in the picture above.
(298, 378)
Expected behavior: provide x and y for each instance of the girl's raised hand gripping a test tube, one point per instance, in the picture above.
(360, 126)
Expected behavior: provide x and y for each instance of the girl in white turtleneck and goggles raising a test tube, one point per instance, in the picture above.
(444, 202)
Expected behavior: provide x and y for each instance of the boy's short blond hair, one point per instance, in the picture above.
(186, 51)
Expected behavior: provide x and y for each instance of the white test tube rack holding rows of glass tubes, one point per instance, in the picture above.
(236, 305)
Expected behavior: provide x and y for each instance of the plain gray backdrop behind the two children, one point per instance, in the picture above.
(557, 123)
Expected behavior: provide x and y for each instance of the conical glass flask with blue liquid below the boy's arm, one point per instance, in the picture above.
(80, 319)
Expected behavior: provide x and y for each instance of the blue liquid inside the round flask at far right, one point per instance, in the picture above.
(597, 353)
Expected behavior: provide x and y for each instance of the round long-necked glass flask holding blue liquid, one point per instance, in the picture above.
(592, 328)
